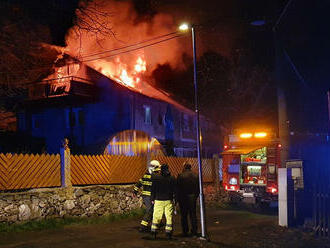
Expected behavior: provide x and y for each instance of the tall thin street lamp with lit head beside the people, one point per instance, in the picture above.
(185, 27)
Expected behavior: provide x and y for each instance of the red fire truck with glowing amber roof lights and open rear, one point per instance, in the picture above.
(250, 163)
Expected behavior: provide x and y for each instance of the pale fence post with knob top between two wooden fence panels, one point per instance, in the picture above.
(65, 164)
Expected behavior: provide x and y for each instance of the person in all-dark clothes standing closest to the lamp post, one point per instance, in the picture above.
(187, 194)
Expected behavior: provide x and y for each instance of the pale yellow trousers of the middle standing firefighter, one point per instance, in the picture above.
(161, 208)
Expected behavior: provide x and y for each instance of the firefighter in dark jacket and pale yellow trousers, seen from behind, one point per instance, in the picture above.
(162, 195)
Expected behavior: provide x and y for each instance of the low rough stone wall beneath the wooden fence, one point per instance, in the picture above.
(47, 203)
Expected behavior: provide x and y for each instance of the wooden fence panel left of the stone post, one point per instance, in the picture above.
(24, 171)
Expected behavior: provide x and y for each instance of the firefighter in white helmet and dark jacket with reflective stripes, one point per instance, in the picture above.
(144, 185)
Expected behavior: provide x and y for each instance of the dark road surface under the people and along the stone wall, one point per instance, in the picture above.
(226, 228)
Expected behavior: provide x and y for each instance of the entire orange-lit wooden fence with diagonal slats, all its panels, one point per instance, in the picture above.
(25, 171)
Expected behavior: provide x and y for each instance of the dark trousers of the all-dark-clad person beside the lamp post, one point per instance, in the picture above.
(188, 207)
